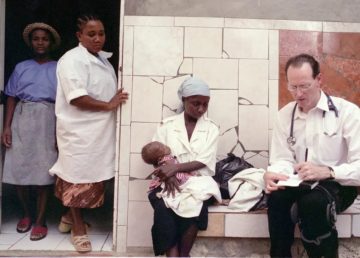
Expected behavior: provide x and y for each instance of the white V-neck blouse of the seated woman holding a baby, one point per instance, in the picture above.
(202, 146)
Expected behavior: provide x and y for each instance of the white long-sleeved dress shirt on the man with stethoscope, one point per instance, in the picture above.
(330, 140)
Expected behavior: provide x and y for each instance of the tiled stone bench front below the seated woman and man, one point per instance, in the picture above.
(224, 222)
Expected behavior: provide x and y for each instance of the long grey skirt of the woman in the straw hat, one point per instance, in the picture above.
(33, 149)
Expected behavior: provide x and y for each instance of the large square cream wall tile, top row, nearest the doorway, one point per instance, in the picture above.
(157, 50)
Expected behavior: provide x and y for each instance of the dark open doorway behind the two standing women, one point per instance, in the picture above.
(61, 14)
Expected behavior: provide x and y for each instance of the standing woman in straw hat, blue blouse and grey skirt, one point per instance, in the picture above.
(29, 126)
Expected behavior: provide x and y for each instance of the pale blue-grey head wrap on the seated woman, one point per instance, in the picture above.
(193, 86)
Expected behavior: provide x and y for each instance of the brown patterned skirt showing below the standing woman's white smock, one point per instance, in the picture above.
(89, 195)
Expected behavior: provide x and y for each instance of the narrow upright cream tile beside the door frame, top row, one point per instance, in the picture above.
(128, 50)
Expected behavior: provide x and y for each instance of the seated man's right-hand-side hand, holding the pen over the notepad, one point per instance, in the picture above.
(309, 171)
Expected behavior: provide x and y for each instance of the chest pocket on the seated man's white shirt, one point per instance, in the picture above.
(330, 148)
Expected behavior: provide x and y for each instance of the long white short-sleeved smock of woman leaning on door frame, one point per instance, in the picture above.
(86, 139)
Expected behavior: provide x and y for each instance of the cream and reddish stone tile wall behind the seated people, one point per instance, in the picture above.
(240, 60)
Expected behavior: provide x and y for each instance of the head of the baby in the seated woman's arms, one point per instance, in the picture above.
(153, 152)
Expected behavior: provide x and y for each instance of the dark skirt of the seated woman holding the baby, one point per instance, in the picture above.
(168, 227)
